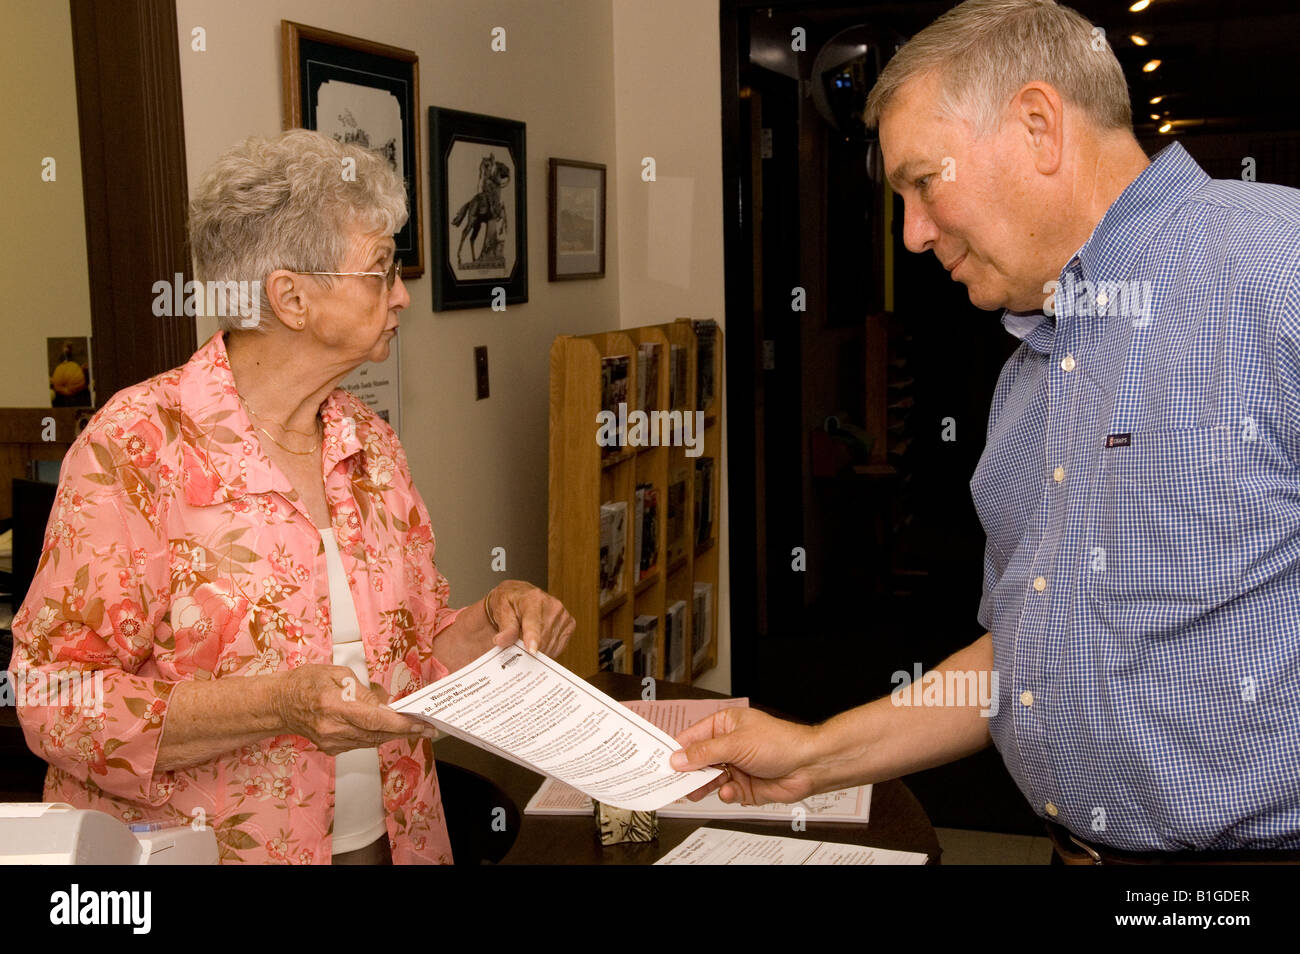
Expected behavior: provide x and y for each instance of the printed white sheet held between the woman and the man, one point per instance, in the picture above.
(536, 713)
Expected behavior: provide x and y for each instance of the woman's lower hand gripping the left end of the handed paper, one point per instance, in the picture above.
(333, 709)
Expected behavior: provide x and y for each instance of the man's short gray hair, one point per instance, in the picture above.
(985, 51)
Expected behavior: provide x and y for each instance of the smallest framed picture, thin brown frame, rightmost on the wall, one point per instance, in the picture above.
(575, 220)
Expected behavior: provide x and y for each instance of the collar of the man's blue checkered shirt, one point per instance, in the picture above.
(1121, 237)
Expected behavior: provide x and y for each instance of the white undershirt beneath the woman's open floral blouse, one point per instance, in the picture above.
(358, 787)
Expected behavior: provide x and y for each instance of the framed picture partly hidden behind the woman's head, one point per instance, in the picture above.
(361, 93)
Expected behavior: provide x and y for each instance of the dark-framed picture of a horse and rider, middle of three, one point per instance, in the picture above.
(480, 205)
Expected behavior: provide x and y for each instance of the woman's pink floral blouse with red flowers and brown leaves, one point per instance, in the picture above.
(179, 552)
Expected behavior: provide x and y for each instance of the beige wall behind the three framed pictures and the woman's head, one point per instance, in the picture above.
(480, 466)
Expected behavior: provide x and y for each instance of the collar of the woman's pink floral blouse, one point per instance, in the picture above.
(223, 454)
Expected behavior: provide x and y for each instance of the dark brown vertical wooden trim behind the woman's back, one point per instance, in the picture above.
(132, 127)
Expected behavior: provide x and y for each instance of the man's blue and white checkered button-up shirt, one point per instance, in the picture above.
(1141, 496)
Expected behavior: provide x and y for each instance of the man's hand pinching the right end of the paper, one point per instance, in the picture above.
(768, 760)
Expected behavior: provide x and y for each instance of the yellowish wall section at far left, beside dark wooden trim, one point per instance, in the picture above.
(44, 276)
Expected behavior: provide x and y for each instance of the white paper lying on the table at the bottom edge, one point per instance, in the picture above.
(716, 847)
